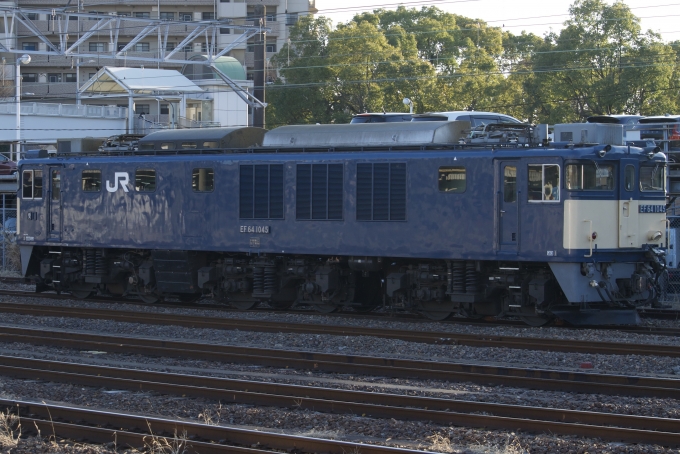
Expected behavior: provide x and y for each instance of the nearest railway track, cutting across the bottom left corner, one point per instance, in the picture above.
(124, 429)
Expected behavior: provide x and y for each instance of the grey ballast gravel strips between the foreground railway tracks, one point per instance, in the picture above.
(406, 434)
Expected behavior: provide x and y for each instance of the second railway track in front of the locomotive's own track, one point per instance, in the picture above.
(349, 364)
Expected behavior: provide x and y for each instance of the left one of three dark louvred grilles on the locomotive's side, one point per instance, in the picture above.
(261, 191)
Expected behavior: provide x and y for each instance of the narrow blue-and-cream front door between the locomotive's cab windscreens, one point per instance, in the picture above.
(628, 204)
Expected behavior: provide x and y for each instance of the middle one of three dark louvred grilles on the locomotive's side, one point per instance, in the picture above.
(319, 192)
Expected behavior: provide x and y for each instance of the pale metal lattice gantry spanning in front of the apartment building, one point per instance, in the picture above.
(207, 31)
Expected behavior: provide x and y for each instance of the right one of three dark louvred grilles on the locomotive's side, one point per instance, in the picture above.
(381, 192)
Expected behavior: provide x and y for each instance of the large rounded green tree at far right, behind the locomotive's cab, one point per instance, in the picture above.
(600, 63)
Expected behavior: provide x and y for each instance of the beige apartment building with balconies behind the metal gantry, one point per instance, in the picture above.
(54, 79)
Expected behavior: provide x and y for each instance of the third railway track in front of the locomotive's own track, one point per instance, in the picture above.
(615, 427)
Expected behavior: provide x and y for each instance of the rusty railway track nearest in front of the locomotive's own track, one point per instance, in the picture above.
(432, 337)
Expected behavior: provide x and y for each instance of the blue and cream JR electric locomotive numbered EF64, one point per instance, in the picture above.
(398, 215)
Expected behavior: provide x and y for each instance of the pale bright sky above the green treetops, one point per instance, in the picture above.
(538, 17)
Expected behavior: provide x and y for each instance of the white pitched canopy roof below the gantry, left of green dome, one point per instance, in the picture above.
(111, 80)
